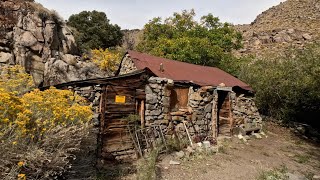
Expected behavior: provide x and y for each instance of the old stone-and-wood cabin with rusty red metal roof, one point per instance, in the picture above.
(152, 99)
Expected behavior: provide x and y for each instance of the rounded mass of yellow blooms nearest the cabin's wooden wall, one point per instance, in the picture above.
(44, 110)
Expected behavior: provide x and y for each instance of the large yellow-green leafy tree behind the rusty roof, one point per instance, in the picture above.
(180, 37)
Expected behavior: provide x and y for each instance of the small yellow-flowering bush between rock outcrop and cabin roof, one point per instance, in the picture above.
(106, 59)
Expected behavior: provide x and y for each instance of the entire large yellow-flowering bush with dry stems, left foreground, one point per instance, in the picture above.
(39, 130)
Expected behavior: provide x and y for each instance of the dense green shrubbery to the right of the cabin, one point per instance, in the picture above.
(287, 86)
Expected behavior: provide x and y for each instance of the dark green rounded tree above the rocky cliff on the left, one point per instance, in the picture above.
(94, 31)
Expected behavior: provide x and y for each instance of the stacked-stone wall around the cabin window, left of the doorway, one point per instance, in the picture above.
(197, 116)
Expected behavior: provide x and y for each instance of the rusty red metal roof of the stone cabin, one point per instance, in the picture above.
(186, 72)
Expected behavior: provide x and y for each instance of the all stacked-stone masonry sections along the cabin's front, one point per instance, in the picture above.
(198, 117)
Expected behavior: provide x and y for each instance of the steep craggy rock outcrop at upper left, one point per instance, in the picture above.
(40, 41)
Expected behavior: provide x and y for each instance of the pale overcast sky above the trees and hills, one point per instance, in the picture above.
(133, 14)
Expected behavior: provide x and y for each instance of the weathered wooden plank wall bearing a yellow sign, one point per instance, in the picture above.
(120, 99)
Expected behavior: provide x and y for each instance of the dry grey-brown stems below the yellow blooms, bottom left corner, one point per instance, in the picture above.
(48, 158)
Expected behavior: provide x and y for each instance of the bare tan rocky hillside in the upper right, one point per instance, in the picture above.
(291, 23)
